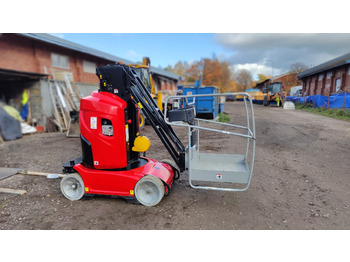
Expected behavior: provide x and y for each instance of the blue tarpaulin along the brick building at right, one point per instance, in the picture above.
(335, 101)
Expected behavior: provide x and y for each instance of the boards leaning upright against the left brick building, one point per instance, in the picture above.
(65, 98)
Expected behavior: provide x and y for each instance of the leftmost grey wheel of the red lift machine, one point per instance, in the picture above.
(72, 186)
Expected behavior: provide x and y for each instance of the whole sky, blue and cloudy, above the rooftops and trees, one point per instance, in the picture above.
(260, 53)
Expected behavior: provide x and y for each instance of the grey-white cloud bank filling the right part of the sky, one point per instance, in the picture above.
(253, 50)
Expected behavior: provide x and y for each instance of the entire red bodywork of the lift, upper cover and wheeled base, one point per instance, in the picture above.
(108, 171)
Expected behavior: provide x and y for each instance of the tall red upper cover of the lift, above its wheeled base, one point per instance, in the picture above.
(109, 152)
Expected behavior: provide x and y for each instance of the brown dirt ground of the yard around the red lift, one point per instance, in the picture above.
(301, 180)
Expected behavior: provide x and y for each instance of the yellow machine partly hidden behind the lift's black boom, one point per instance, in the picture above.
(144, 73)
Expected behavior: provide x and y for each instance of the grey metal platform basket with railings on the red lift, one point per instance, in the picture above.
(226, 172)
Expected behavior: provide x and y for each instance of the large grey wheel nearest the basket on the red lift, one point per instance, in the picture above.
(149, 190)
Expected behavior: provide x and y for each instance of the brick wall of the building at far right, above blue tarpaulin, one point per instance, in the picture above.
(324, 83)
